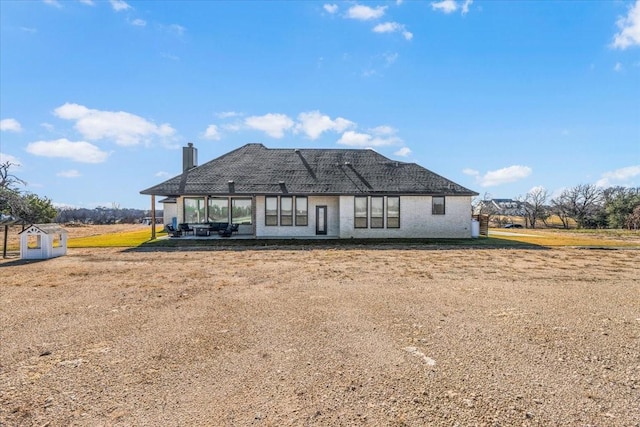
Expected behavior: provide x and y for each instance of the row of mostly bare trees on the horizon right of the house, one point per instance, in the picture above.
(585, 205)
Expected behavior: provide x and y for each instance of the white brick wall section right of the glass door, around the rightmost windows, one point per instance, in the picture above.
(416, 220)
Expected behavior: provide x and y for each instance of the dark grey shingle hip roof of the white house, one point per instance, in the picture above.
(255, 169)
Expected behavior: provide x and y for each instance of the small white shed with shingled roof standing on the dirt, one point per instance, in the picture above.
(43, 241)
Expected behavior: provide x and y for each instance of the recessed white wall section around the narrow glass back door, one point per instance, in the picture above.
(333, 226)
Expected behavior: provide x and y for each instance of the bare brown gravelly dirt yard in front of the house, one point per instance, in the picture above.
(295, 336)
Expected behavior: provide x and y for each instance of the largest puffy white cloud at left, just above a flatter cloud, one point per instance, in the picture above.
(125, 128)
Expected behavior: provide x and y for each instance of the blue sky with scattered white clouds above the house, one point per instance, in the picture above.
(97, 97)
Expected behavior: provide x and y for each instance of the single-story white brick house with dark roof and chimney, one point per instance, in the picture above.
(307, 193)
